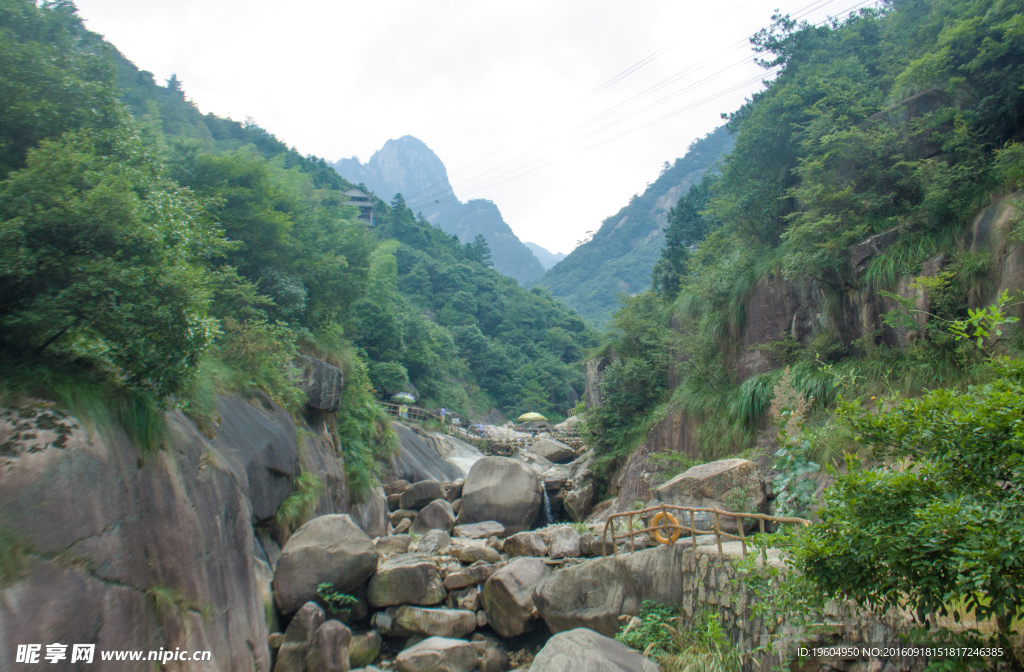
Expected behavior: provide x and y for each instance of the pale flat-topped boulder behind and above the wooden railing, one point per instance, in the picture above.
(707, 485)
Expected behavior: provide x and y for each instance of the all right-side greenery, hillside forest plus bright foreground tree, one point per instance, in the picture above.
(898, 127)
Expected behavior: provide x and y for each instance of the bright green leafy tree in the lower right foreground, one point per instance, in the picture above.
(938, 525)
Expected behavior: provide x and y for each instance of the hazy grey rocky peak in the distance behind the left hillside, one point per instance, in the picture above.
(409, 167)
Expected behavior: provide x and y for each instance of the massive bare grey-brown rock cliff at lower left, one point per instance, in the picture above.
(143, 552)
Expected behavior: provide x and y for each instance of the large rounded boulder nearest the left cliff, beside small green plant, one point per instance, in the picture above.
(328, 550)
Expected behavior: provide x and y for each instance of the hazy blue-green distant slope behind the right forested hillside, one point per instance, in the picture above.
(620, 258)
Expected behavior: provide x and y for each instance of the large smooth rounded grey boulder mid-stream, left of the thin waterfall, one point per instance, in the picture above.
(501, 490)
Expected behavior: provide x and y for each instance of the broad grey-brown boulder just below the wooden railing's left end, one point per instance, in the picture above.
(594, 595)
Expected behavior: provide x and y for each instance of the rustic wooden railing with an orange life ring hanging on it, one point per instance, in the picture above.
(666, 528)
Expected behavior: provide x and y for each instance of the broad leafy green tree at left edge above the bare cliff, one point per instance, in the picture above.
(103, 260)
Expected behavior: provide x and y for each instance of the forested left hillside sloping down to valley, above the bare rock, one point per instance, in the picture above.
(152, 256)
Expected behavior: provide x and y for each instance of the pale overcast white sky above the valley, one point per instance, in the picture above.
(559, 111)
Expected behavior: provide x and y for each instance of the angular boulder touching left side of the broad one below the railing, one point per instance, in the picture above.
(508, 596)
